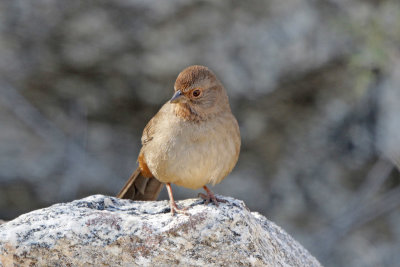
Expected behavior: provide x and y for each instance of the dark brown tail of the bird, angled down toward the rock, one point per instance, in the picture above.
(139, 187)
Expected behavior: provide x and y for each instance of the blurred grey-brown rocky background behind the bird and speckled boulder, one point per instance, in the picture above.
(315, 86)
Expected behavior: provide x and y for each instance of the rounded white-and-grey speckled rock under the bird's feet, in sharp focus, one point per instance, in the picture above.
(100, 230)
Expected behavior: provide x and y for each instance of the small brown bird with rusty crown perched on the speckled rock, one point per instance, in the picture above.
(192, 141)
